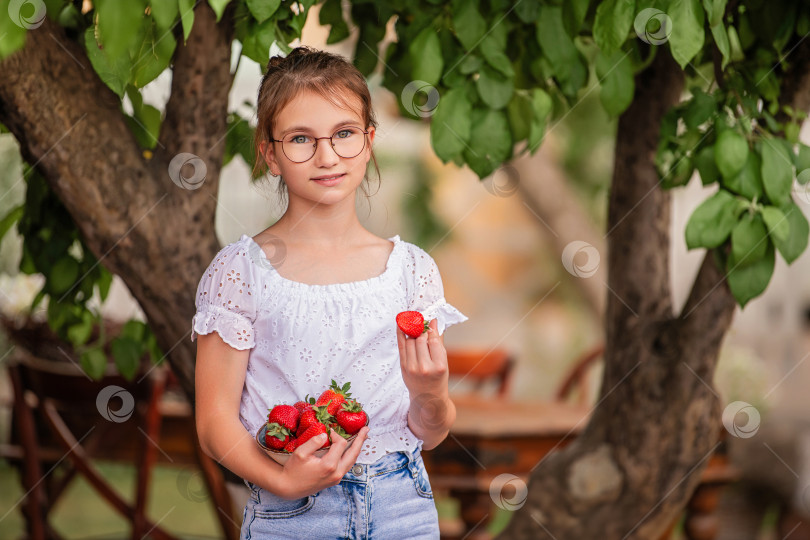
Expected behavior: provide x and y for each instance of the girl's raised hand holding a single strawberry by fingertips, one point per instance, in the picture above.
(423, 361)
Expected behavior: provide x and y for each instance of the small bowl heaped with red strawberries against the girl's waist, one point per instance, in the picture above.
(290, 426)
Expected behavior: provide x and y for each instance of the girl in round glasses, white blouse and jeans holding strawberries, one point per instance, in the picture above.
(314, 298)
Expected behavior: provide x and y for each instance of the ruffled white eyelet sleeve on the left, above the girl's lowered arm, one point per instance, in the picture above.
(227, 298)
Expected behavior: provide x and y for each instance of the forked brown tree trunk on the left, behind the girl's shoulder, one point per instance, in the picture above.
(157, 237)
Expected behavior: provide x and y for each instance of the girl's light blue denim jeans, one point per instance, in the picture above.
(390, 499)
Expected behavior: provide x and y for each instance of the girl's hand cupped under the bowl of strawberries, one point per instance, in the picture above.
(305, 473)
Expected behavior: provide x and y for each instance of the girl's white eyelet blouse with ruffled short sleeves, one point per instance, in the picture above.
(302, 336)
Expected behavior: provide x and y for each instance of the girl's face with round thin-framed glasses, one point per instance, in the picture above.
(325, 178)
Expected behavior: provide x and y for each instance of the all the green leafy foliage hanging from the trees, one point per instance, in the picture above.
(501, 71)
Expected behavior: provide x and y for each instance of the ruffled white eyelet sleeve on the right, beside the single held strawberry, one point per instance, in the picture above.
(427, 291)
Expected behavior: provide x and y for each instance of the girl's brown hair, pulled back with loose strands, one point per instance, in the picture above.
(307, 69)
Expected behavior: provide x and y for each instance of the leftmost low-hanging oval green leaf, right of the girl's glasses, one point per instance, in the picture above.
(450, 125)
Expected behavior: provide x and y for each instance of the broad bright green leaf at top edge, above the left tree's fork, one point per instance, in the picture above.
(118, 25)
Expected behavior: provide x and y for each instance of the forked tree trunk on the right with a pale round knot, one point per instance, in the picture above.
(657, 421)
